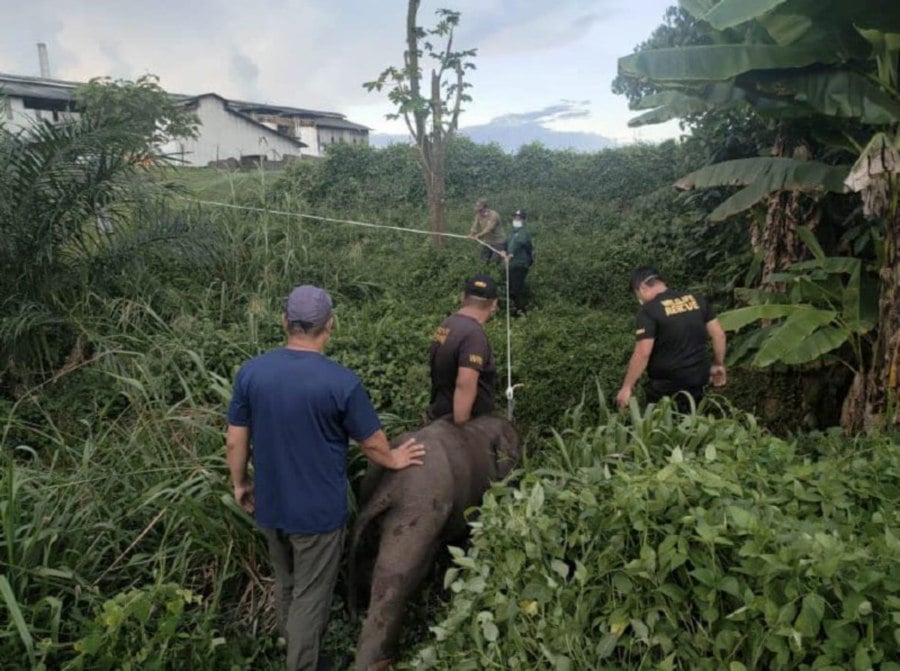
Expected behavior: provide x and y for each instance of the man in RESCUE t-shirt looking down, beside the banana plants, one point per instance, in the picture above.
(672, 330)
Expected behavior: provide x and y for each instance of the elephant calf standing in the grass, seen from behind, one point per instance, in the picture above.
(420, 510)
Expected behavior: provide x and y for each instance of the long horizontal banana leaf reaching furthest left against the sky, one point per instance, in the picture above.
(721, 62)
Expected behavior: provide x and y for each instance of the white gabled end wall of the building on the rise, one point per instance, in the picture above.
(223, 135)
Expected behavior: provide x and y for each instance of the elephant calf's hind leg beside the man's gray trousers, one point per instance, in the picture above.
(404, 559)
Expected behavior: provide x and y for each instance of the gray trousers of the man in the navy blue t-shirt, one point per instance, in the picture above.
(306, 569)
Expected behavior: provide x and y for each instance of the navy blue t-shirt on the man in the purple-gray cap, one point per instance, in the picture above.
(301, 408)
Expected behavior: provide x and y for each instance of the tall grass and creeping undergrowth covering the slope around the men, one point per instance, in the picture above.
(114, 489)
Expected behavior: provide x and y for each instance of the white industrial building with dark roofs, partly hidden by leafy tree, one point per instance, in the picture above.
(230, 131)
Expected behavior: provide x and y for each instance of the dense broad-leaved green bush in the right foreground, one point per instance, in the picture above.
(673, 541)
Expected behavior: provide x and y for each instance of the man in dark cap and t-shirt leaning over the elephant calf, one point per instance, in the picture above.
(463, 373)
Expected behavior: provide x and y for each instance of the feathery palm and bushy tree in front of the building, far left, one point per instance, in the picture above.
(66, 196)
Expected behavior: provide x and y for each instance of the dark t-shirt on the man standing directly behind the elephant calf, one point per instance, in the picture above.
(460, 342)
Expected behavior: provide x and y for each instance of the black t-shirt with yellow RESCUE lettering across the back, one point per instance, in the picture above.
(676, 320)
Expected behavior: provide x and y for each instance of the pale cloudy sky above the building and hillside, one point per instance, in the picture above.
(544, 59)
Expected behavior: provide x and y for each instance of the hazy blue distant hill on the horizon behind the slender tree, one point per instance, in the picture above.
(512, 136)
